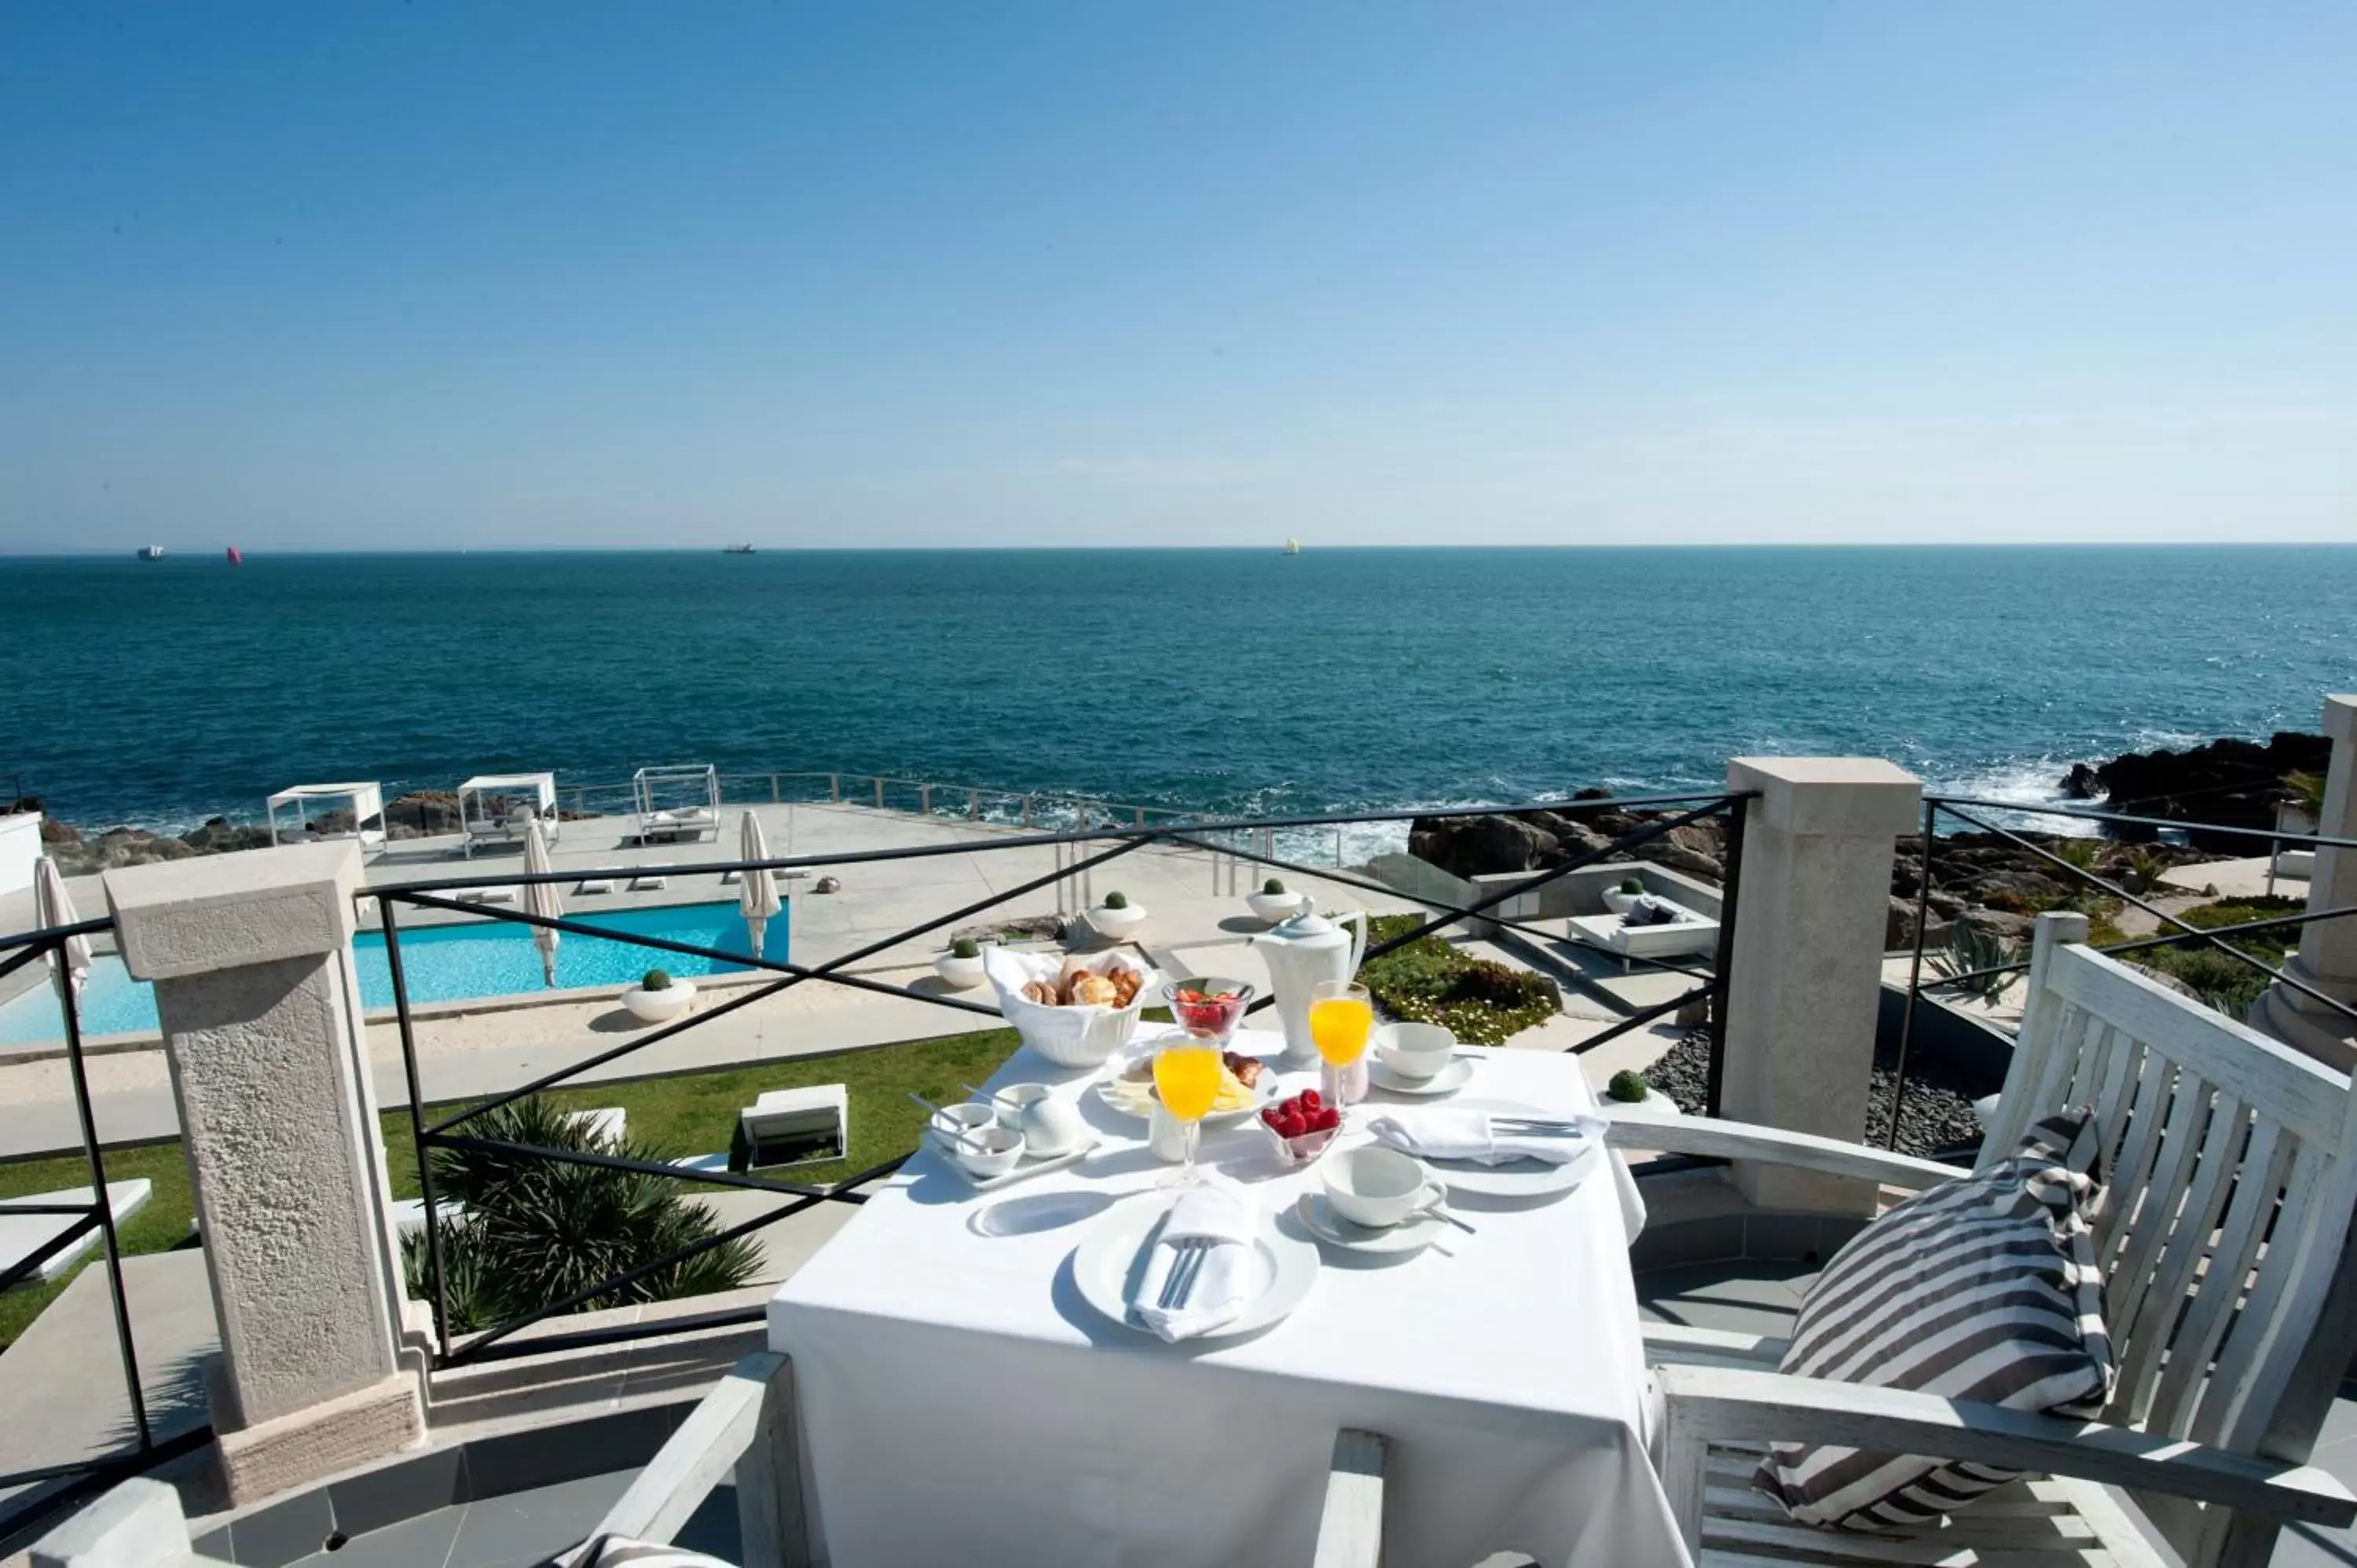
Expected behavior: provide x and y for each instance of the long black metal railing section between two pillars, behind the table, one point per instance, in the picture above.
(1078, 852)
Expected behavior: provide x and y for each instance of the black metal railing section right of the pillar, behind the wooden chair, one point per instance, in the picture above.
(1979, 817)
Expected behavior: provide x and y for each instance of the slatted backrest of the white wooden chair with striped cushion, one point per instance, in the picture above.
(2233, 1173)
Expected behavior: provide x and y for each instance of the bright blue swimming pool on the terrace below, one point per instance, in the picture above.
(449, 963)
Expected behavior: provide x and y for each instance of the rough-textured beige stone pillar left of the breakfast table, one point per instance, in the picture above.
(251, 956)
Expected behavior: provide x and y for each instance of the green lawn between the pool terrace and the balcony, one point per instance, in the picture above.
(685, 1116)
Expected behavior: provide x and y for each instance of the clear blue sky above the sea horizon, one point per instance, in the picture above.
(1024, 275)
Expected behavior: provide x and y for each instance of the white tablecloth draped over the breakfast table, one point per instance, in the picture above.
(965, 1406)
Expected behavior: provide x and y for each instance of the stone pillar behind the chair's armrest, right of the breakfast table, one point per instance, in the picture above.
(1814, 907)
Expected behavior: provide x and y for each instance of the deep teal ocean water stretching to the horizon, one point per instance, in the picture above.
(1206, 680)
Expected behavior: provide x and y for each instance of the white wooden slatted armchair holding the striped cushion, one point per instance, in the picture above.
(2233, 1173)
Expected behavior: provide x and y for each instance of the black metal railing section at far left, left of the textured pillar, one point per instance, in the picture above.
(48, 1489)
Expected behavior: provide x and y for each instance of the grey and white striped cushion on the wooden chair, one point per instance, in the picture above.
(1979, 1289)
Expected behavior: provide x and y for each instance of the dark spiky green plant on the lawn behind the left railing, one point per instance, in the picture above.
(539, 1232)
